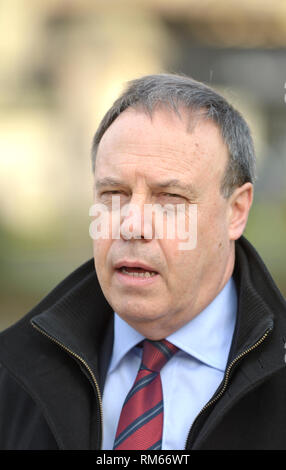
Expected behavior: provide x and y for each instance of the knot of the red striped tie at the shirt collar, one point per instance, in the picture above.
(156, 354)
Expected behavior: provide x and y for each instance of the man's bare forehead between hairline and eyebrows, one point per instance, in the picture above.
(167, 143)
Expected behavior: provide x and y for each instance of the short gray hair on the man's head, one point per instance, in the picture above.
(177, 91)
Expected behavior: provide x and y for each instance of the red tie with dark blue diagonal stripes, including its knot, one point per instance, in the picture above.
(141, 421)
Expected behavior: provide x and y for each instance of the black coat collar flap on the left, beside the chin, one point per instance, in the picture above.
(81, 321)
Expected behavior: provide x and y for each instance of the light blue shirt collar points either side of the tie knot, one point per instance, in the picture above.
(207, 337)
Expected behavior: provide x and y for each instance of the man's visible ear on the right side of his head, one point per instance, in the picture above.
(239, 206)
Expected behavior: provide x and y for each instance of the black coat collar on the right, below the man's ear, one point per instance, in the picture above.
(258, 346)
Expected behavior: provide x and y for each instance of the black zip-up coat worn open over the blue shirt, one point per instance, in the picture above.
(54, 363)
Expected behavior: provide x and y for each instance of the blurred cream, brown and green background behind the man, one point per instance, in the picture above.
(62, 63)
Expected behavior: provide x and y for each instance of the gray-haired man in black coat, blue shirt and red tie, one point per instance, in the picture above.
(158, 347)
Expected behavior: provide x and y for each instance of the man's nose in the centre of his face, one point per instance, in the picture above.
(136, 219)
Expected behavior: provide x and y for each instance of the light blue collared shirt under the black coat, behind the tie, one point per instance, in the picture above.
(190, 377)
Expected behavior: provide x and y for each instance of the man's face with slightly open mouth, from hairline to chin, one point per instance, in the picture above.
(141, 154)
